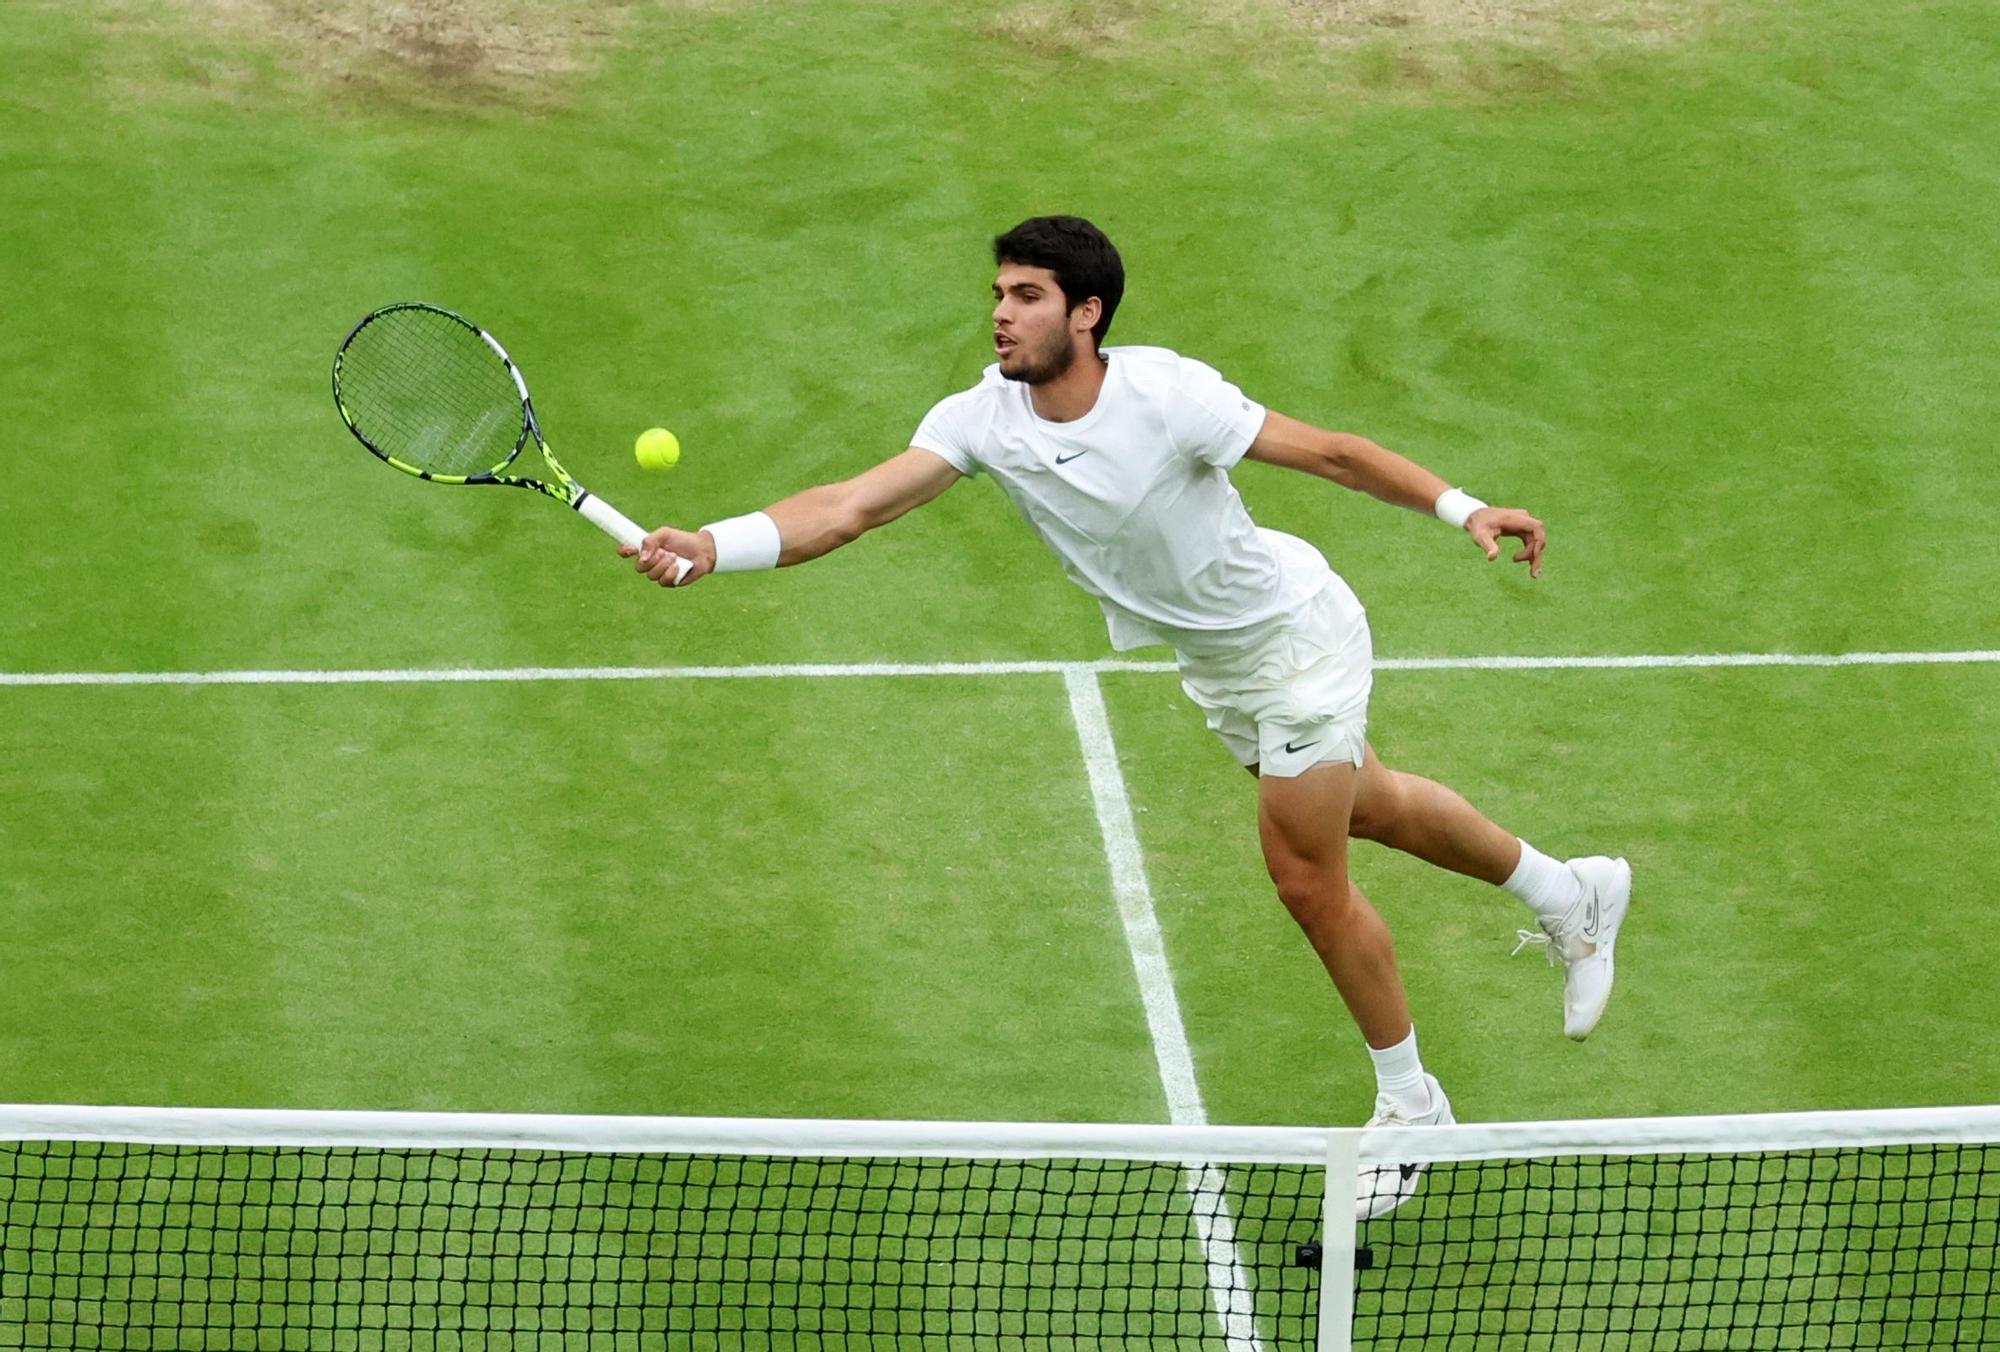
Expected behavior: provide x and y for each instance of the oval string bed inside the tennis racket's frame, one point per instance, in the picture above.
(429, 391)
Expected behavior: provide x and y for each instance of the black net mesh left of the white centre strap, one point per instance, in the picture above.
(137, 1247)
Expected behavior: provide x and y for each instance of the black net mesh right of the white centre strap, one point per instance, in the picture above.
(1879, 1247)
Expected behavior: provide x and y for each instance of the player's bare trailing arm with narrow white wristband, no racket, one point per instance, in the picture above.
(1361, 465)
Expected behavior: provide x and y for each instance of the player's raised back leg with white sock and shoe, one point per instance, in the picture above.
(1579, 903)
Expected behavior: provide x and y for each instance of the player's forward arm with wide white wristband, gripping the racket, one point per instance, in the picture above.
(801, 527)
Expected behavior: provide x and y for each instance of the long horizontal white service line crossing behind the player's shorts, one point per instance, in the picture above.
(445, 675)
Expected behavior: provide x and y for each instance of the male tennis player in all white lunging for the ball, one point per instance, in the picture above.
(1121, 461)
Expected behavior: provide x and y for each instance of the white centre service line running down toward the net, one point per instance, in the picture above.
(1229, 1283)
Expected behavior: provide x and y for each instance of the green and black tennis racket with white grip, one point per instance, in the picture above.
(437, 397)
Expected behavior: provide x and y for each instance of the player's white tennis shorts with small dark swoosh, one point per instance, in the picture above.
(1291, 693)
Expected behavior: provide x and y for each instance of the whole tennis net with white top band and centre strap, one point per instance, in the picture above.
(343, 1231)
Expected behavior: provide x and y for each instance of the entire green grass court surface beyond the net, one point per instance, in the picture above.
(1717, 307)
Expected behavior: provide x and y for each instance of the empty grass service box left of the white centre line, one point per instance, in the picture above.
(735, 929)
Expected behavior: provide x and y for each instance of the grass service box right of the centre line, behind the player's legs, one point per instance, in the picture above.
(1779, 923)
